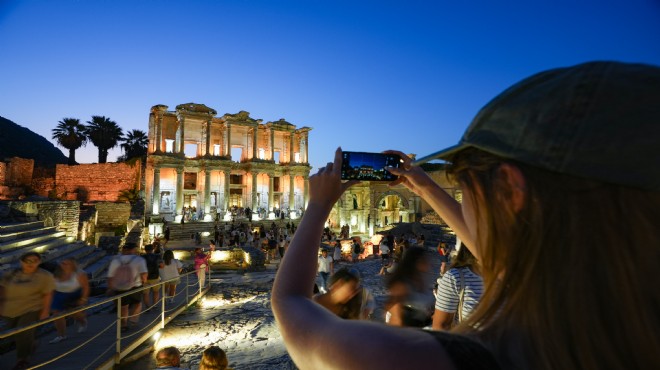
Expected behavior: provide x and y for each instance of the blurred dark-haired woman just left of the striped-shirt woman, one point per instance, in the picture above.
(410, 298)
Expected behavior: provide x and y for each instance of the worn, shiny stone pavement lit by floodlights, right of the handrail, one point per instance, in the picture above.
(236, 316)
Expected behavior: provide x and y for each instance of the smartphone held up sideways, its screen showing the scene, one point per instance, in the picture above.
(369, 166)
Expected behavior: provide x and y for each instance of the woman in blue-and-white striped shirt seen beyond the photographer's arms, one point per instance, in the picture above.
(459, 291)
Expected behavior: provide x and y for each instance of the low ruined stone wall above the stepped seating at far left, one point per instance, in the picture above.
(62, 214)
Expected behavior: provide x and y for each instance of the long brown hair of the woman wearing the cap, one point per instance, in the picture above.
(569, 278)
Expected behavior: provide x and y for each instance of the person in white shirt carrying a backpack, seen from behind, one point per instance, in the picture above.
(128, 272)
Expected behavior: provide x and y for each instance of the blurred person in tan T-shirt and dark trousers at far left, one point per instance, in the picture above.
(25, 297)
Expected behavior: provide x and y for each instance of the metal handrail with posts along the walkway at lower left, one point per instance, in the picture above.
(117, 298)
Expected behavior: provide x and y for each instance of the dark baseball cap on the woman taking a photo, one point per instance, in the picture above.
(596, 120)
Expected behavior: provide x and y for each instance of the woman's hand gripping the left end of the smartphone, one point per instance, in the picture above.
(325, 187)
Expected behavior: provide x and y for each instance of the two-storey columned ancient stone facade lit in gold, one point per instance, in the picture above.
(196, 159)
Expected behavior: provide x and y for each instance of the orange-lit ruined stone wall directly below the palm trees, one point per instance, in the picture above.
(102, 182)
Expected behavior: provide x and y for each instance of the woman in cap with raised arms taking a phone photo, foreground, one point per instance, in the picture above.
(566, 158)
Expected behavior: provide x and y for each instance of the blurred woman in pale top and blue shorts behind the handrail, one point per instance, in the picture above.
(71, 290)
